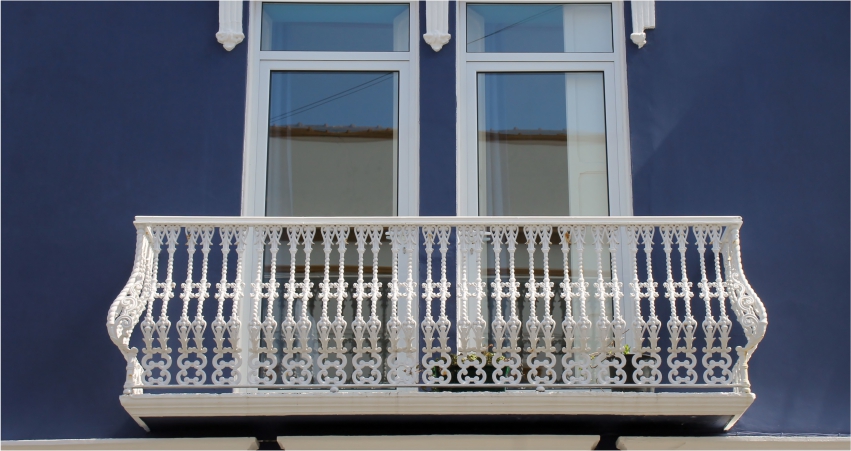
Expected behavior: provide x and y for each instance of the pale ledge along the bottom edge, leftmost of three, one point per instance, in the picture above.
(136, 443)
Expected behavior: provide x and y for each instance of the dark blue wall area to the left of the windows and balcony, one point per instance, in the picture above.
(110, 110)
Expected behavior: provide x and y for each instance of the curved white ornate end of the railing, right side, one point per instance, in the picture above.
(749, 309)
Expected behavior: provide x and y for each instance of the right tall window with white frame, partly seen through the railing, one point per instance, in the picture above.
(542, 116)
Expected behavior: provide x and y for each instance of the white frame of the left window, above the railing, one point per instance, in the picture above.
(260, 65)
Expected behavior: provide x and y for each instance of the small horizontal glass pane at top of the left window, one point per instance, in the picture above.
(335, 27)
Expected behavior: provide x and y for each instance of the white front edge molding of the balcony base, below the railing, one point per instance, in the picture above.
(404, 402)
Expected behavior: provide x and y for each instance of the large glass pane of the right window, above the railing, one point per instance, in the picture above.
(542, 144)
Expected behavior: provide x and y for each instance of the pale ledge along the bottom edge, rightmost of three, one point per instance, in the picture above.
(734, 442)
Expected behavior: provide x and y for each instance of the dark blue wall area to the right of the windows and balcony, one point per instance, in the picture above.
(743, 109)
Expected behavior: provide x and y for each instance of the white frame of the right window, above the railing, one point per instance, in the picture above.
(613, 66)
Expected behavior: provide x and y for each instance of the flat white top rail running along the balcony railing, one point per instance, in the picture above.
(437, 220)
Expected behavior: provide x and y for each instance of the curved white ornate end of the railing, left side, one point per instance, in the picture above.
(125, 311)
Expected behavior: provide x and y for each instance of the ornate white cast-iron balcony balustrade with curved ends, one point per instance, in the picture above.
(434, 307)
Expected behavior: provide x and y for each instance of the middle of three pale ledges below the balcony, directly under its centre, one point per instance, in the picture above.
(440, 442)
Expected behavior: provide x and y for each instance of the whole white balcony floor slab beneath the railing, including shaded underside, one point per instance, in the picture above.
(703, 412)
